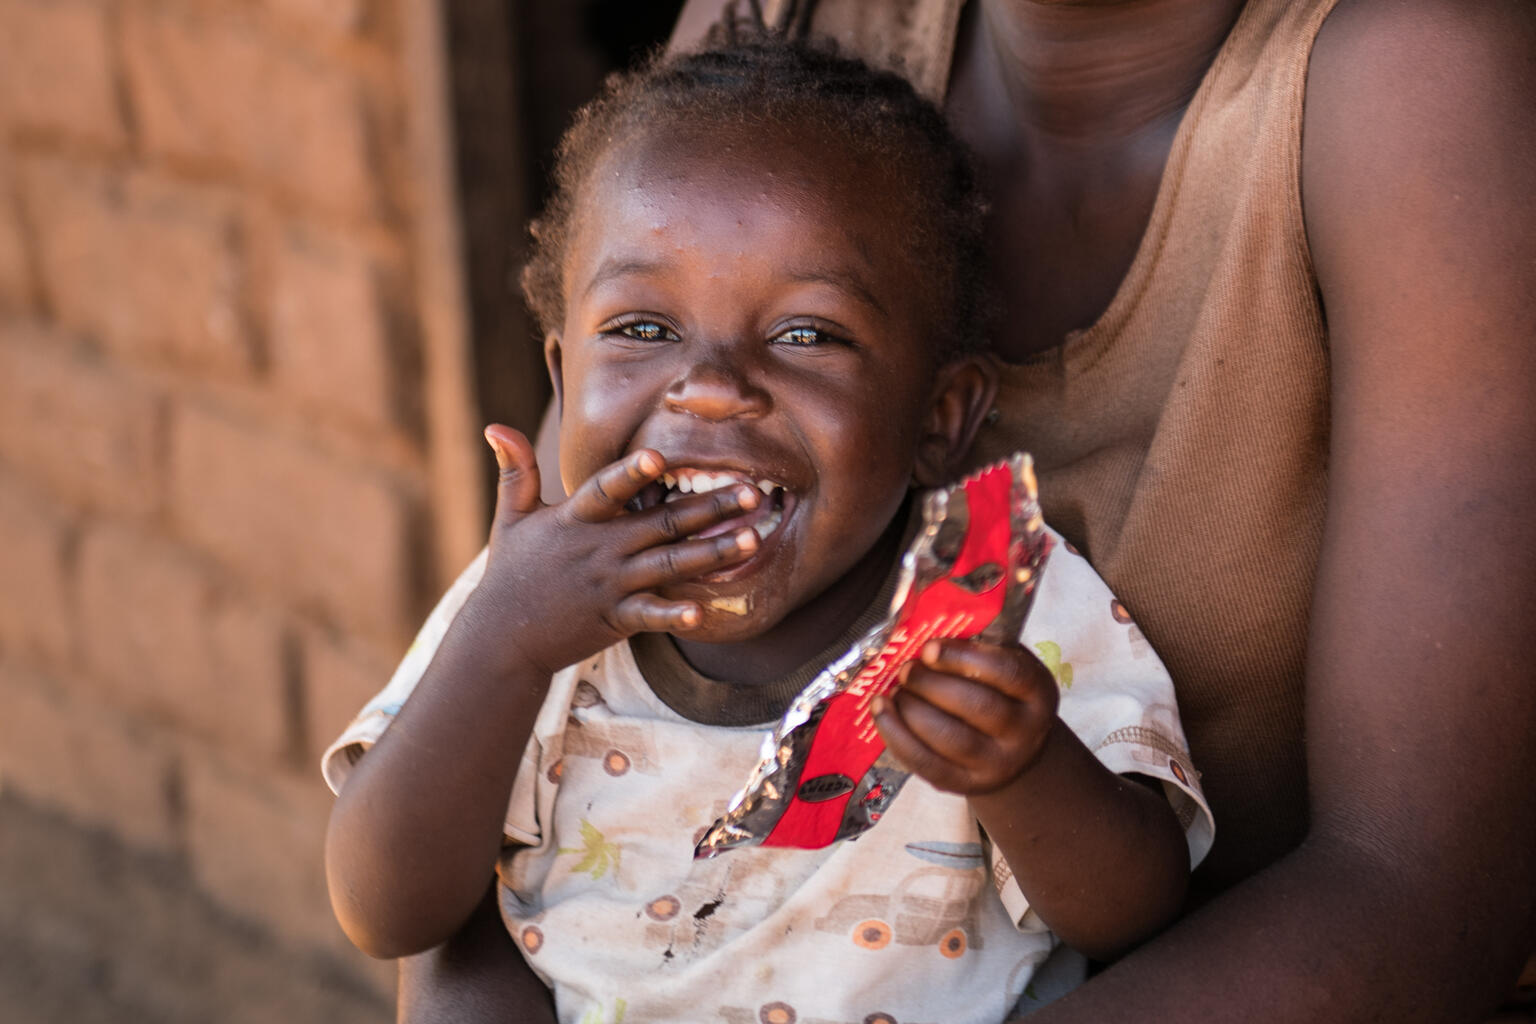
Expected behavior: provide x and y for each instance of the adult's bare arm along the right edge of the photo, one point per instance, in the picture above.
(1412, 896)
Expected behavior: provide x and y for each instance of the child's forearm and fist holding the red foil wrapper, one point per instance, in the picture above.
(1101, 857)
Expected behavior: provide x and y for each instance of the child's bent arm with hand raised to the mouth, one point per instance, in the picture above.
(417, 830)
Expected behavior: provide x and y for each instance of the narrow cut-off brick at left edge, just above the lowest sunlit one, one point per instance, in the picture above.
(36, 606)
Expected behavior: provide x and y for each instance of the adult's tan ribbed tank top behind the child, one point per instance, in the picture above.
(1182, 440)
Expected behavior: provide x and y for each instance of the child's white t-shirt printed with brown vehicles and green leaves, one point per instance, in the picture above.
(916, 920)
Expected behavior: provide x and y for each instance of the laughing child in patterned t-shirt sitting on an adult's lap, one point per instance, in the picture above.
(758, 282)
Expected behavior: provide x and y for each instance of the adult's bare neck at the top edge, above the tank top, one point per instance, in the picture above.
(1085, 73)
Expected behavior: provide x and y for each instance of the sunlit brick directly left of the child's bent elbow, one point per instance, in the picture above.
(257, 845)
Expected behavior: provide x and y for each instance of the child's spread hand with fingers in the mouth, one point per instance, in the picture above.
(566, 581)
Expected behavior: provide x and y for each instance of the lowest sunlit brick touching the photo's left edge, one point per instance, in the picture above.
(81, 758)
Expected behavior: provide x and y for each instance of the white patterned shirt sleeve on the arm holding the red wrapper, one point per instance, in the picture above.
(1116, 696)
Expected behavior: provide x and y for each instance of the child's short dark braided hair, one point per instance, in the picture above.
(755, 78)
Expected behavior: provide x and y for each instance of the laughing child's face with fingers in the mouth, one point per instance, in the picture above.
(749, 311)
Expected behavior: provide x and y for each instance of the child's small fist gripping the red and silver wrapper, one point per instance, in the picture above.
(970, 718)
